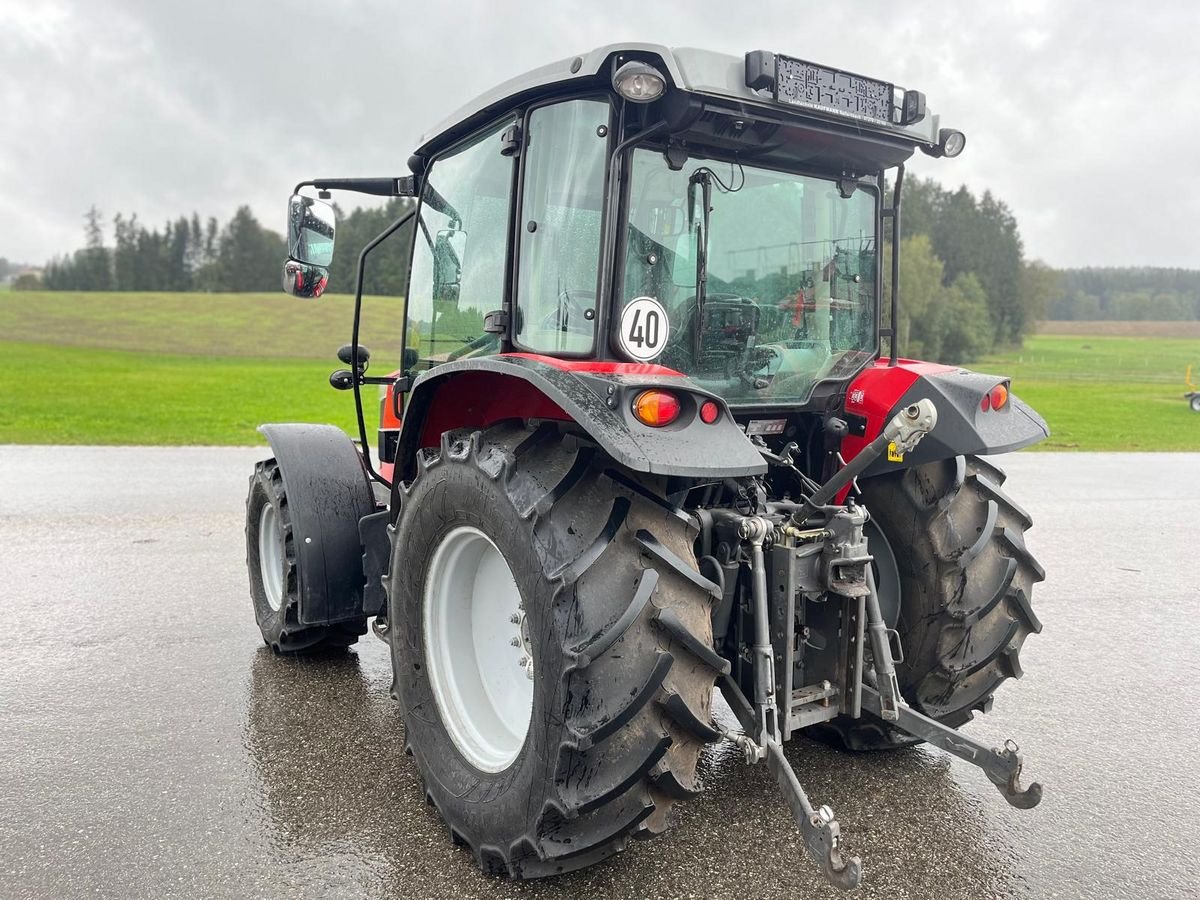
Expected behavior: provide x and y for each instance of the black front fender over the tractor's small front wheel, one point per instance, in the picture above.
(328, 495)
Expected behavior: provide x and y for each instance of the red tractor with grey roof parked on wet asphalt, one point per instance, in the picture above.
(645, 442)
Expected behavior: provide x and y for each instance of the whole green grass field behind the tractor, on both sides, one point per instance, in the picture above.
(207, 369)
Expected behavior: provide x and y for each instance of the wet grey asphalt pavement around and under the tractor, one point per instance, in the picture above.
(152, 747)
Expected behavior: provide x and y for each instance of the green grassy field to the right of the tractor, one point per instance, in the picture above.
(1106, 393)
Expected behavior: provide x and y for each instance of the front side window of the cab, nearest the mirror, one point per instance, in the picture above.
(460, 251)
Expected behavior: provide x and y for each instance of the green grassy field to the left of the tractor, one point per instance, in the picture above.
(177, 369)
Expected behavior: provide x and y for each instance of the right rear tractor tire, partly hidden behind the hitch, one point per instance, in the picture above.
(967, 580)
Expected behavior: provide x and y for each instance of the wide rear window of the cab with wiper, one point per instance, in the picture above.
(788, 281)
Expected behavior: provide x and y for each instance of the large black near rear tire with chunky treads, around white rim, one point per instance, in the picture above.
(617, 622)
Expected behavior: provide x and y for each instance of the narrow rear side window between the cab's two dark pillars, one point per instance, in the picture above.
(560, 260)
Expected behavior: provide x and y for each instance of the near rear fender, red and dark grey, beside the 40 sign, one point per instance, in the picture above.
(596, 395)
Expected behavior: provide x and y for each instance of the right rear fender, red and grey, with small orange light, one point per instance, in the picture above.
(963, 428)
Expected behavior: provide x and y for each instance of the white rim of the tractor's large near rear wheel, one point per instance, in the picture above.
(477, 650)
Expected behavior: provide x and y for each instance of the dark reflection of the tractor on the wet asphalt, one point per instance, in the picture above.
(327, 746)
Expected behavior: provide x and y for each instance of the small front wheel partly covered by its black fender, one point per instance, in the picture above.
(274, 580)
